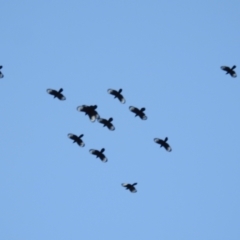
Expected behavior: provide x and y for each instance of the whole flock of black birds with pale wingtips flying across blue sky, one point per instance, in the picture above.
(93, 116)
